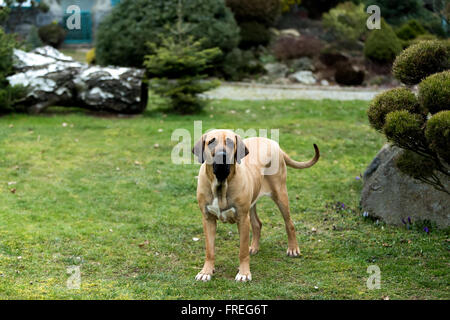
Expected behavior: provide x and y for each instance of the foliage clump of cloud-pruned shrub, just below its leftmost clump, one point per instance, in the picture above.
(403, 128)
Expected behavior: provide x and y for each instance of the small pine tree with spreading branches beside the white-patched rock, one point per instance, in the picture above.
(176, 68)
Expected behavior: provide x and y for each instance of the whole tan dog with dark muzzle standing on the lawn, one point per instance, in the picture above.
(234, 174)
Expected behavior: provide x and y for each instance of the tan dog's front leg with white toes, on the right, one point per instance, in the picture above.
(244, 251)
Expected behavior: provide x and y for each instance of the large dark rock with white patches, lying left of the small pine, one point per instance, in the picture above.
(53, 78)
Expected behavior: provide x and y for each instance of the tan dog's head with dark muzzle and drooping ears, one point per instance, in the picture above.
(221, 149)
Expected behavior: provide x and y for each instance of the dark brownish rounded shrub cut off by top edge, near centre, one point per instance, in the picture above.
(265, 12)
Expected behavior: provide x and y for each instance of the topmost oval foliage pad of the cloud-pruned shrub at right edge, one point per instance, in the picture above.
(421, 60)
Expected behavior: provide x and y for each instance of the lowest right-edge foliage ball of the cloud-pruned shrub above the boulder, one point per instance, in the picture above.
(438, 134)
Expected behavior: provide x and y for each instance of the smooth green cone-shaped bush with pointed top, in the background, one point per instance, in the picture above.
(382, 45)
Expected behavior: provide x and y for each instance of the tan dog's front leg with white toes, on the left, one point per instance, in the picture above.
(209, 228)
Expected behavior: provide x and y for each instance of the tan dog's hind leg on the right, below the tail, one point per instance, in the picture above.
(280, 196)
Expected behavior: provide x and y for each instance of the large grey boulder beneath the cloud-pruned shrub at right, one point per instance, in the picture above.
(392, 196)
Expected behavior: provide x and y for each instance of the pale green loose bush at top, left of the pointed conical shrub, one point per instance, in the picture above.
(347, 21)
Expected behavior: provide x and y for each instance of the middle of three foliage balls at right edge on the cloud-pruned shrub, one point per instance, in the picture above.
(434, 92)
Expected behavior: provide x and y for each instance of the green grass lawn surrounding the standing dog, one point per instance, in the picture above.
(96, 193)
